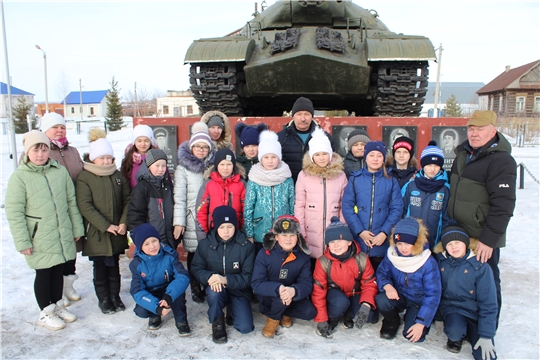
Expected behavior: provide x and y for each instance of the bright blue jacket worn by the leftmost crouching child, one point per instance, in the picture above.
(154, 273)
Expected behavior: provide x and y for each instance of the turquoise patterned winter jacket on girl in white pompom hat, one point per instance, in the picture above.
(264, 204)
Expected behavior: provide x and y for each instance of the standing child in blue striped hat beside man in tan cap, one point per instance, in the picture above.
(426, 196)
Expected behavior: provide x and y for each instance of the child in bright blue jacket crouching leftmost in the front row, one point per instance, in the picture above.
(159, 280)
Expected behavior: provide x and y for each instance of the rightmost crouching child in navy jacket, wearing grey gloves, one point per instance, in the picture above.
(469, 299)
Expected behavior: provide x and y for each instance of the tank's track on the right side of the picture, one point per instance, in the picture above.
(401, 88)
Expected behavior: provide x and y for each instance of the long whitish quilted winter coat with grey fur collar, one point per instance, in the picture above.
(188, 179)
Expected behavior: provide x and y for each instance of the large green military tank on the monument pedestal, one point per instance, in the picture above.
(336, 53)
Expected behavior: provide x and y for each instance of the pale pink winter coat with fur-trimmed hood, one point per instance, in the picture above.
(318, 197)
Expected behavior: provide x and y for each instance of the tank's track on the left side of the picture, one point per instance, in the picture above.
(214, 87)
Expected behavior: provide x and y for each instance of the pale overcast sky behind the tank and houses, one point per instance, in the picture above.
(145, 42)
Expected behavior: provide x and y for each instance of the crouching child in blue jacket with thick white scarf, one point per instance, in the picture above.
(408, 279)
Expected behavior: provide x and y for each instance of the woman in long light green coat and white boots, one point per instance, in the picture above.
(45, 223)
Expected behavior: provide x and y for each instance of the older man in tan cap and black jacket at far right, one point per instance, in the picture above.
(483, 189)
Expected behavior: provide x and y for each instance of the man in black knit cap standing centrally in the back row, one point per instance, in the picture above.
(296, 135)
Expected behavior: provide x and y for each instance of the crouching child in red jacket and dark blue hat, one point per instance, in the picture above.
(344, 282)
